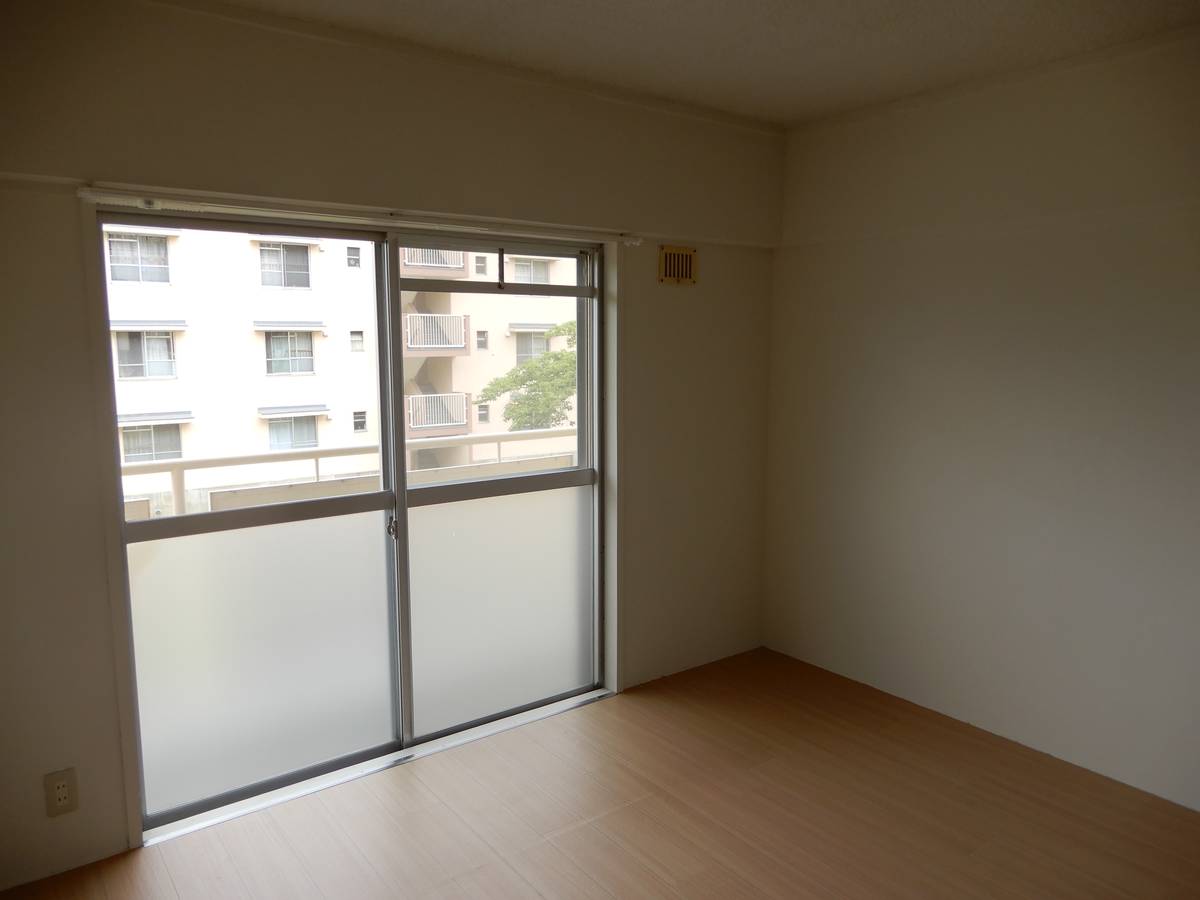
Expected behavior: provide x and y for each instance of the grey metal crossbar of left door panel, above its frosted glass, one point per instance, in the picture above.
(254, 517)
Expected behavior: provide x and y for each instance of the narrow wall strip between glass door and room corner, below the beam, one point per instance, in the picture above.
(693, 406)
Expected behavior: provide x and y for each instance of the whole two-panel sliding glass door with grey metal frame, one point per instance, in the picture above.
(359, 493)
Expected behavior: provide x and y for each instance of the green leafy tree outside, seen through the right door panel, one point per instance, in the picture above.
(541, 389)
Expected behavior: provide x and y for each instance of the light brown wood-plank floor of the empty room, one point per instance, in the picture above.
(753, 777)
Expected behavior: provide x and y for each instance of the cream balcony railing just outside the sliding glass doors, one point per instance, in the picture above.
(178, 469)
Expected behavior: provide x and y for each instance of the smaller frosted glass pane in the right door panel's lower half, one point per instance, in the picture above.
(501, 604)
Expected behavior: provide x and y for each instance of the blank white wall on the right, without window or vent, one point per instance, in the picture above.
(983, 482)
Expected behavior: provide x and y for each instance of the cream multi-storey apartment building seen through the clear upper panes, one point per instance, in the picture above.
(247, 365)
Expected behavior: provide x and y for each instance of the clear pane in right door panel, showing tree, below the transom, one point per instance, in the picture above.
(526, 373)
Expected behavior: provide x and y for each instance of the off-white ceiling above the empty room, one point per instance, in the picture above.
(776, 61)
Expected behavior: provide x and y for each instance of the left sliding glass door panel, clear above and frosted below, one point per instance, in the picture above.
(254, 449)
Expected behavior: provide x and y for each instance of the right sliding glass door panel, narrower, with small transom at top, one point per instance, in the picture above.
(500, 448)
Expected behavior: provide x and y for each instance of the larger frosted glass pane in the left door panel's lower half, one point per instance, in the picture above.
(260, 652)
